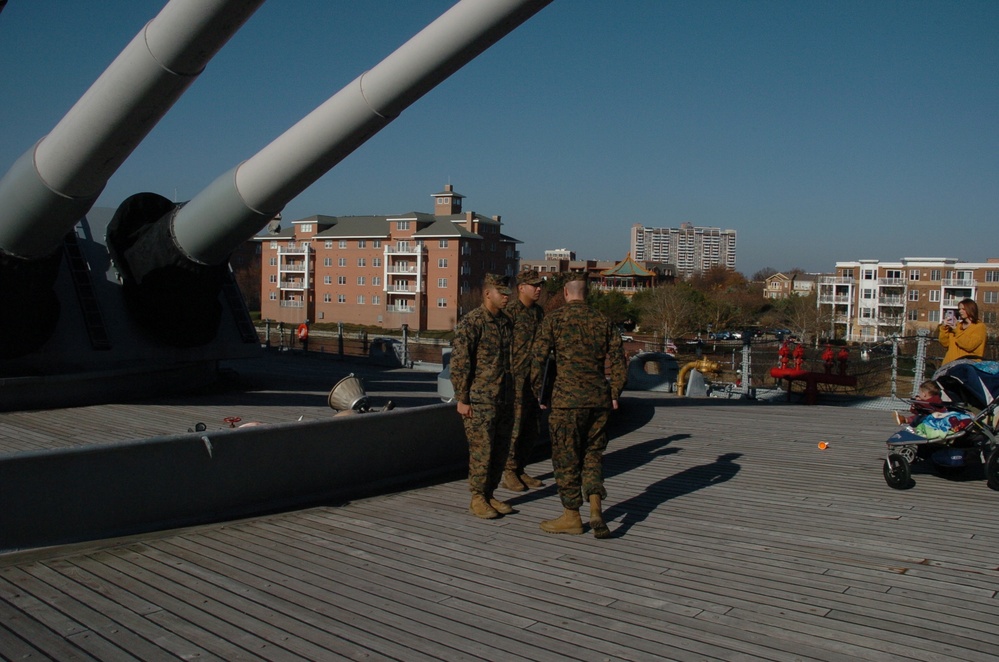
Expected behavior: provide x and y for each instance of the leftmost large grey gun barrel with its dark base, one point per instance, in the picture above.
(56, 182)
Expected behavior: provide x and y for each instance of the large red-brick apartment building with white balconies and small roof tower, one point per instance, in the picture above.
(422, 270)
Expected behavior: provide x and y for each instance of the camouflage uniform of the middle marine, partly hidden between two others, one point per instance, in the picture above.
(525, 404)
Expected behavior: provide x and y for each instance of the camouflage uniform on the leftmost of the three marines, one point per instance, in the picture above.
(480, 374)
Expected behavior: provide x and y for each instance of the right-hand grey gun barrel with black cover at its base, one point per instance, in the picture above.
(172, 258)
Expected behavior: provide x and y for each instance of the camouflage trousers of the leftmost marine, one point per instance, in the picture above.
(488, 433)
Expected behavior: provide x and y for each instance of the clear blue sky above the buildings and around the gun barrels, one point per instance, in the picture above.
(820, 131)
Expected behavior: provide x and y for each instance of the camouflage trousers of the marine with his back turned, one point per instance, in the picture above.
(579, 438)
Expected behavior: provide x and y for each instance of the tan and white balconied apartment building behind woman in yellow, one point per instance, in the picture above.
(871, 300)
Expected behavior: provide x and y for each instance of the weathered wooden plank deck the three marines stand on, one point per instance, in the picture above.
(734, 538)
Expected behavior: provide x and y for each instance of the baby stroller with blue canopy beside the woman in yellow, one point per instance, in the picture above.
(970, 391)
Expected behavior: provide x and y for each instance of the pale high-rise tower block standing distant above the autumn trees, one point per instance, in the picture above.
(692, 249)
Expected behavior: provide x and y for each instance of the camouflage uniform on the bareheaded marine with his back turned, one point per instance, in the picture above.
(583, 340)
